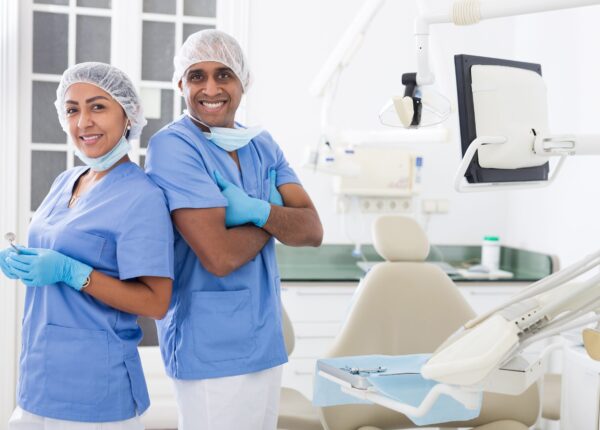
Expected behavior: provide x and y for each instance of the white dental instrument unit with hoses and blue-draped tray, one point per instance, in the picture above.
(488, 354)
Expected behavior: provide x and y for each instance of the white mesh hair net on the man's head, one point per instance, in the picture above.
(211, 45)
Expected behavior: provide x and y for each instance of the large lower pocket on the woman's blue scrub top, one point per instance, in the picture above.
(76, 363)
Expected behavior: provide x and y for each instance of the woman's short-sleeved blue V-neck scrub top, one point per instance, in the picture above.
(79, 358)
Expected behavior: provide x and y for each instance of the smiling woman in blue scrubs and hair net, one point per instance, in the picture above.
(99, 254)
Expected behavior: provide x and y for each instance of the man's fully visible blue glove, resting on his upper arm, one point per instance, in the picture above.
(242, 208)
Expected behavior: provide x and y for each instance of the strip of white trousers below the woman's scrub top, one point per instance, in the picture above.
(23, 420)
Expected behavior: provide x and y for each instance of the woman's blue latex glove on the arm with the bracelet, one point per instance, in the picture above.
(37, 267)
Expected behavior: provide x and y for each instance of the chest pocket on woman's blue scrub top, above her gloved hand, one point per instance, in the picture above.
(82, 246)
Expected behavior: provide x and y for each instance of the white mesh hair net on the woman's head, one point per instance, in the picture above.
(110, 79)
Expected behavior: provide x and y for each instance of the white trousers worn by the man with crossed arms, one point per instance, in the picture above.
(249, 401)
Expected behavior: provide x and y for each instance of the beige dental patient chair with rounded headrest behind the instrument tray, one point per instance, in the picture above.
(407, 306)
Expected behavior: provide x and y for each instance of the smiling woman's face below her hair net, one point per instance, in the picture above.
(95, 120)
